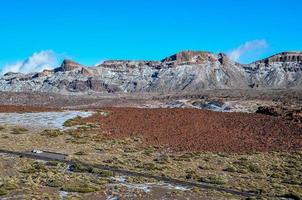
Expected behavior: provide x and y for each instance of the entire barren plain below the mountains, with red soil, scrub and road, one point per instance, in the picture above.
(215, 145)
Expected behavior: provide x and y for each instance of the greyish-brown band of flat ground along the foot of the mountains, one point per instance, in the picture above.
(286, 97)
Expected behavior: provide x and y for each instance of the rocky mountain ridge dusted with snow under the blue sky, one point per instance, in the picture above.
(184, 71)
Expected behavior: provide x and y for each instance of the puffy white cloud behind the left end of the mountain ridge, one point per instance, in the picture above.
(37, 62)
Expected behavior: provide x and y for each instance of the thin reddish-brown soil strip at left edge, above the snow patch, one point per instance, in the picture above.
(23, 109)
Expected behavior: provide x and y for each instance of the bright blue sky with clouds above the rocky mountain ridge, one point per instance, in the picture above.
(36, 34)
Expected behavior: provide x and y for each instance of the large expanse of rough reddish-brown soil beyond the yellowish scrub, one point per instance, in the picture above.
(200, 130)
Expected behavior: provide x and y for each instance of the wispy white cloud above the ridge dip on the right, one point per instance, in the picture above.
(251, 48)
